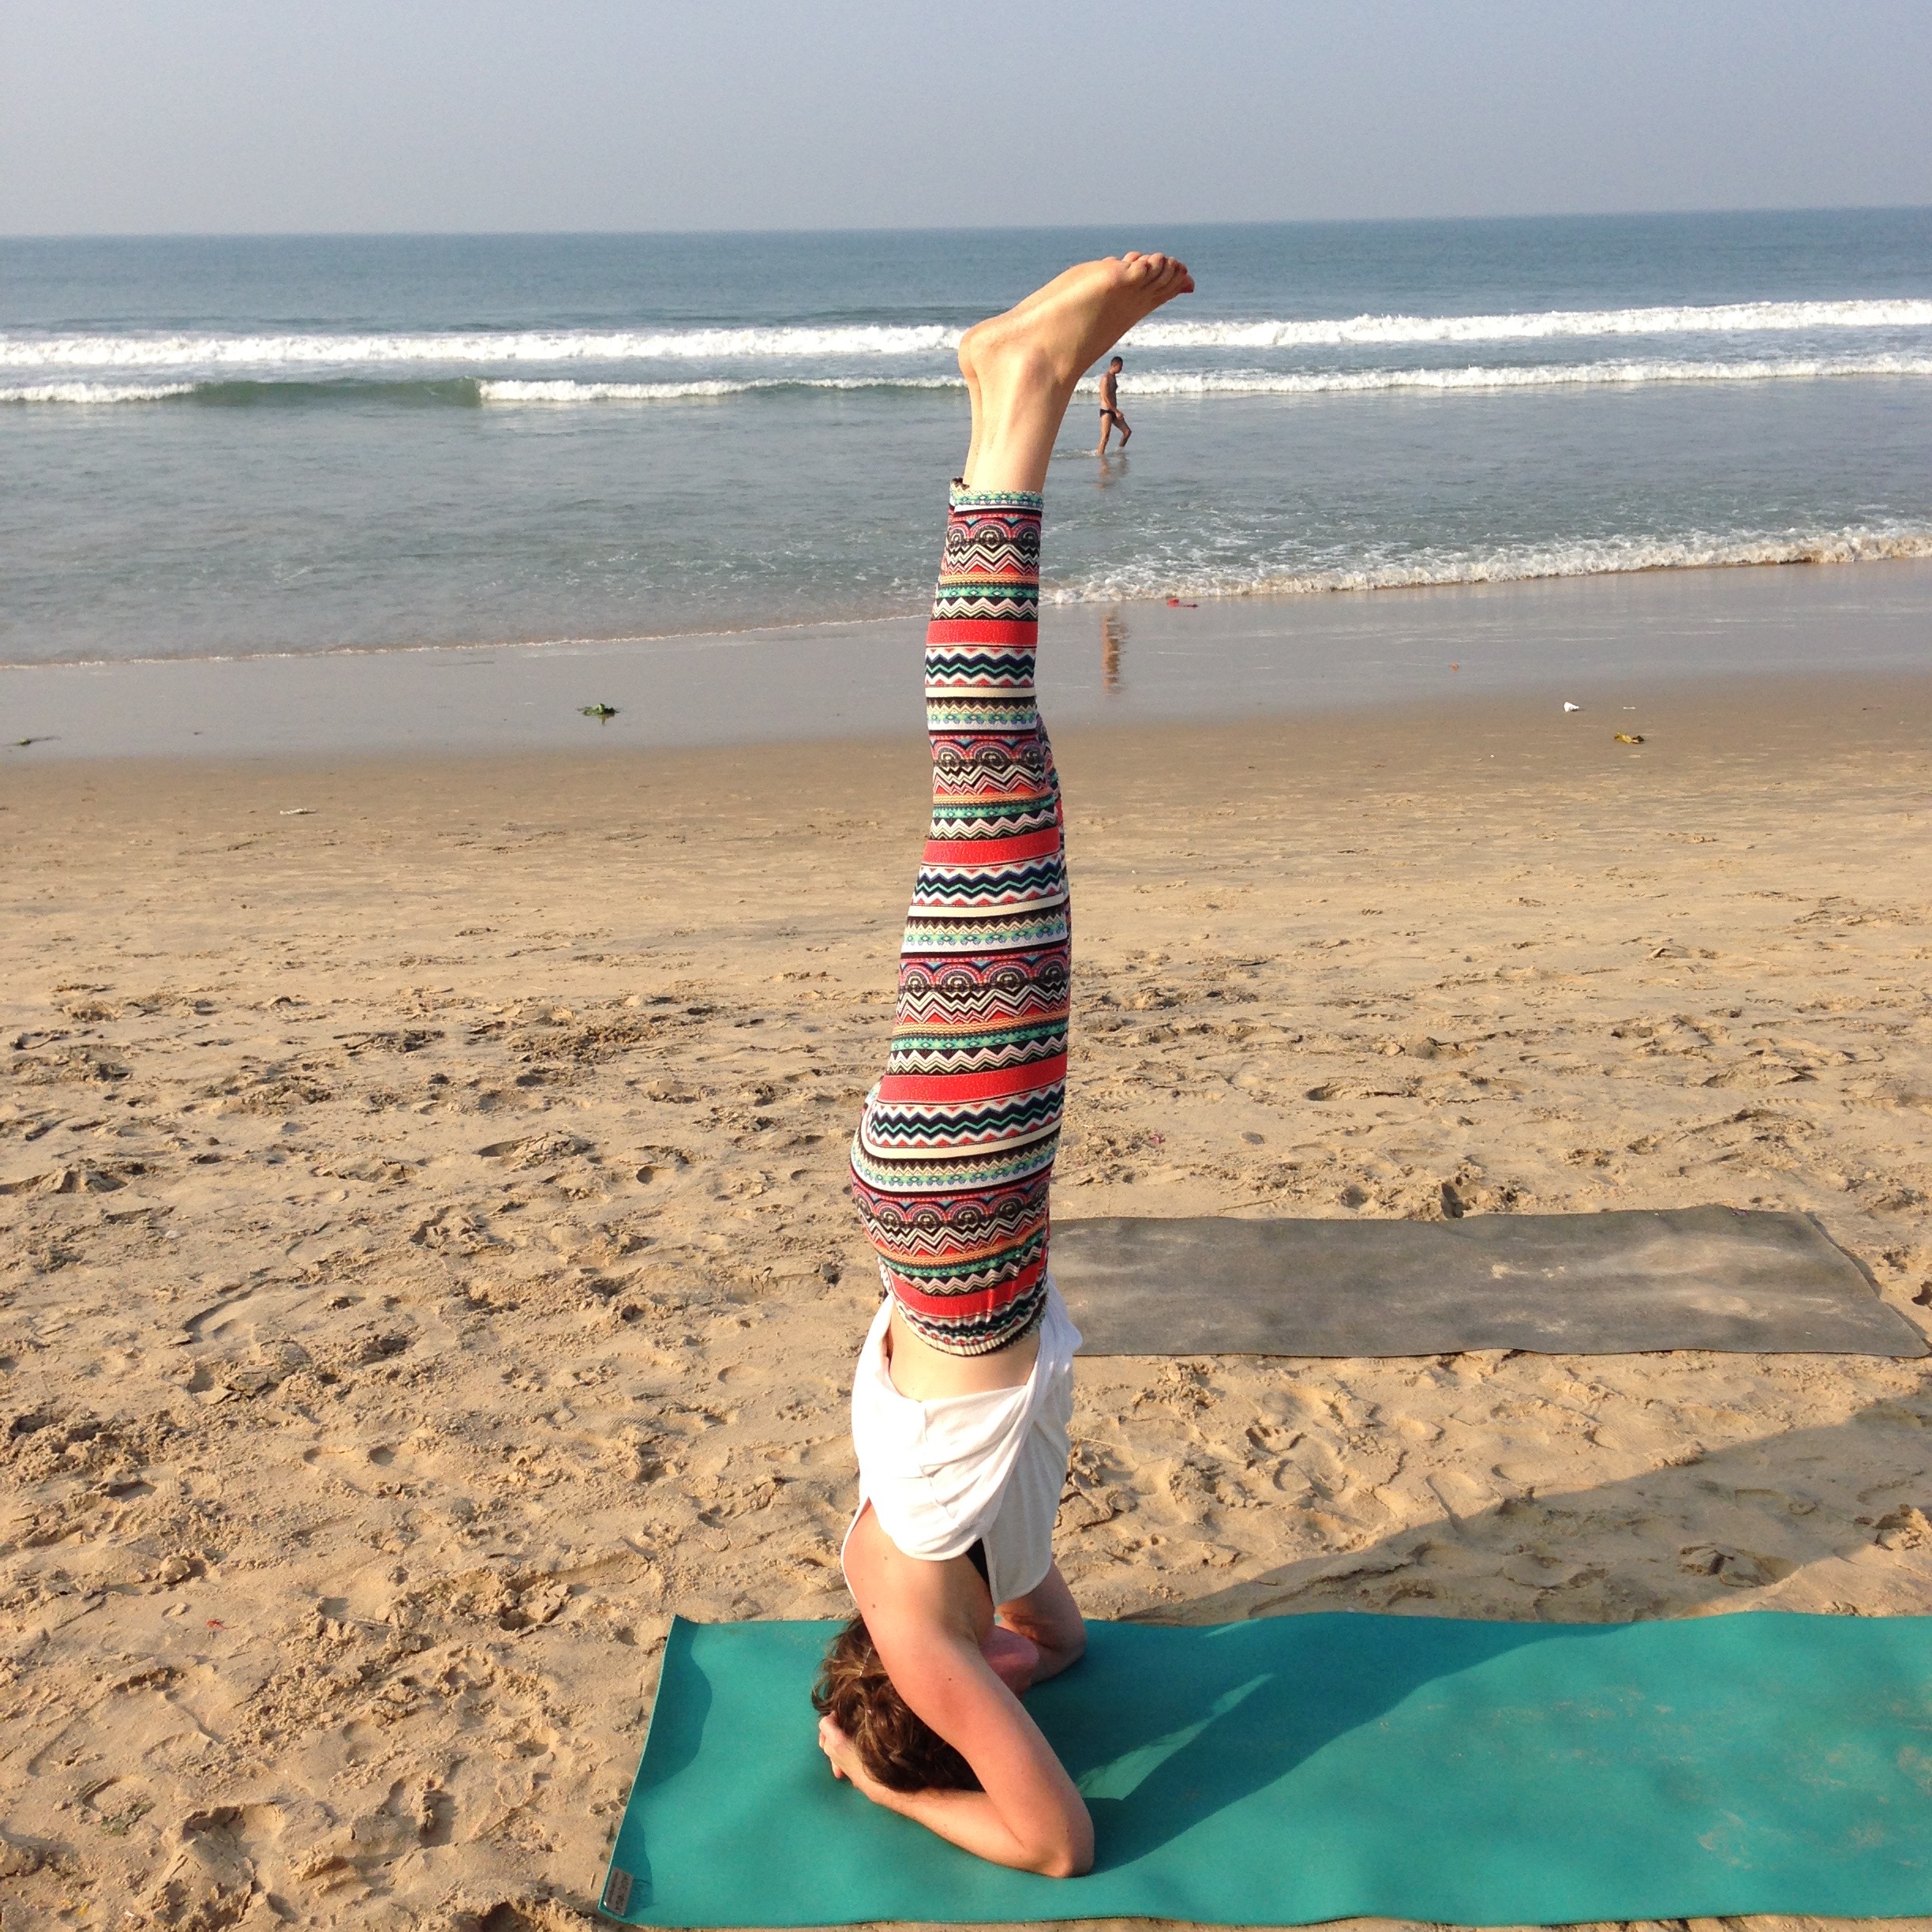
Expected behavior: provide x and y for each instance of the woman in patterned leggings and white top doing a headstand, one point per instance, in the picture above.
(965, 1386)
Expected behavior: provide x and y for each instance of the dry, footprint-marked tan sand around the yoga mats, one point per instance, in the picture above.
(426, 1261)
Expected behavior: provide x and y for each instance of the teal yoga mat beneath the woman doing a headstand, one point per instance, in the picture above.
(1303, 1769)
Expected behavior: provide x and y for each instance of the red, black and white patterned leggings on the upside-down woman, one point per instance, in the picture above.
(955, 1145)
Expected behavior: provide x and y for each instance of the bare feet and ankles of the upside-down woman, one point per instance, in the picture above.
(1021, 368)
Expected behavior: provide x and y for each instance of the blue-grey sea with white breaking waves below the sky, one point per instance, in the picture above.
(235, 447)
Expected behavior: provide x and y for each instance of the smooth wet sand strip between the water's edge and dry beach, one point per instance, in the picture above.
(1595, 640)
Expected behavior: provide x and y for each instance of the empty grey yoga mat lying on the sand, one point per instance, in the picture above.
(1554, 1284)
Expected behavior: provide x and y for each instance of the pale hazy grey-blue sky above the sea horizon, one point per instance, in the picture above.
(480, 115)
